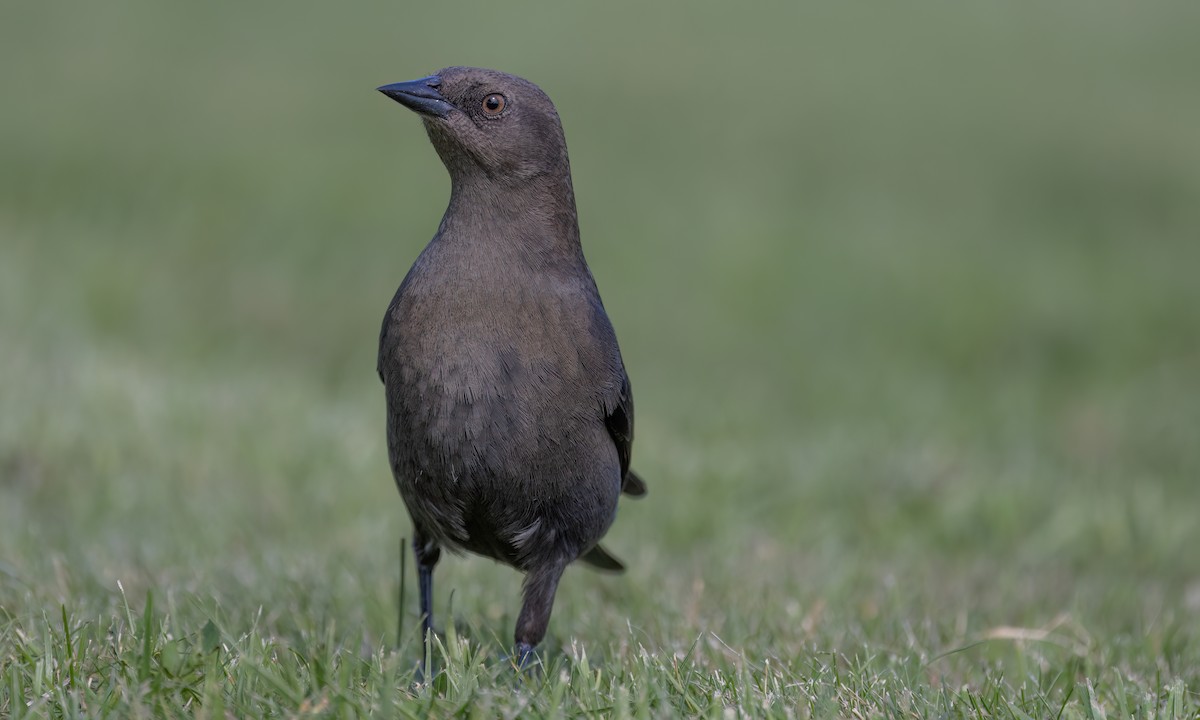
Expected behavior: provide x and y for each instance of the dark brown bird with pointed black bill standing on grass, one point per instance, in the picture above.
(511, 417)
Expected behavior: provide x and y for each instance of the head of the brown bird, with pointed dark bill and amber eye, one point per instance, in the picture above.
(485, 123)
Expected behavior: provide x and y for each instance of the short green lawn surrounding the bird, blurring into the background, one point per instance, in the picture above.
(908, 293)
